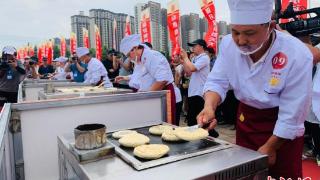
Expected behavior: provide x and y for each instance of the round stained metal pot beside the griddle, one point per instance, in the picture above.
(90, 136)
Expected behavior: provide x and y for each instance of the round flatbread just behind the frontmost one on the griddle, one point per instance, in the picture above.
(134, 140)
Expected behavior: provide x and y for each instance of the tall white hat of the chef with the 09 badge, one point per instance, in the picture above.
(250, 12)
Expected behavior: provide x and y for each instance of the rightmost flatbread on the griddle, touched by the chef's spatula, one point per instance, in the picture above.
(191, 135)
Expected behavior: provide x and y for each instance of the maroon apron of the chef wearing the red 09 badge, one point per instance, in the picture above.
(255, 127)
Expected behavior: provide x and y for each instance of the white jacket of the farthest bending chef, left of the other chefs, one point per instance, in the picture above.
(95, 71)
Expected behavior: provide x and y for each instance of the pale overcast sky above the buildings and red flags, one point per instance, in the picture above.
(35, 21)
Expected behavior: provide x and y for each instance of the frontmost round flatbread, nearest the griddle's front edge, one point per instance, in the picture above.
(151, 151)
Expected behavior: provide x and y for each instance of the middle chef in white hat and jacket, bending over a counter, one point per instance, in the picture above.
(152, 71)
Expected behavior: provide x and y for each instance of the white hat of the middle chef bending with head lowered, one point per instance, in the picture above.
(129, 42)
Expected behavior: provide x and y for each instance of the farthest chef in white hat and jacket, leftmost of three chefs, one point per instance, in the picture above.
(96, 73)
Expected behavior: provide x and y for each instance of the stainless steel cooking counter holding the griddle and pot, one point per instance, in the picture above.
(218, 161)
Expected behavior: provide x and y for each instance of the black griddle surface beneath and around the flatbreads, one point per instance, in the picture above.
(176, 148)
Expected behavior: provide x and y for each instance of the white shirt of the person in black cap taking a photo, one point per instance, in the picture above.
(199, 77)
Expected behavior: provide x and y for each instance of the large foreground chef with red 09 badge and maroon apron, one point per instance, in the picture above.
(270, 73)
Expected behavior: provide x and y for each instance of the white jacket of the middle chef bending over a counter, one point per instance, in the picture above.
(152, 68)
